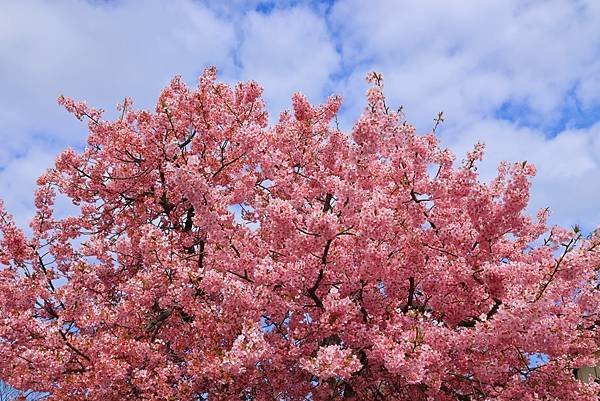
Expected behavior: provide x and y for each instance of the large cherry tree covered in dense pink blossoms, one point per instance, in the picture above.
(215, 257)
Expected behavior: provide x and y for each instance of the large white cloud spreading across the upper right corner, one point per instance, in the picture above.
(471, 57)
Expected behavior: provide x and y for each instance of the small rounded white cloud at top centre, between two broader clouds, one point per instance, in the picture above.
(288, 51)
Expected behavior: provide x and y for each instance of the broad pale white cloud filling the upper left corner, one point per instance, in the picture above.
(104, 53)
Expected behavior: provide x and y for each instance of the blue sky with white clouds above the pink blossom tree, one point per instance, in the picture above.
(523, 76)
